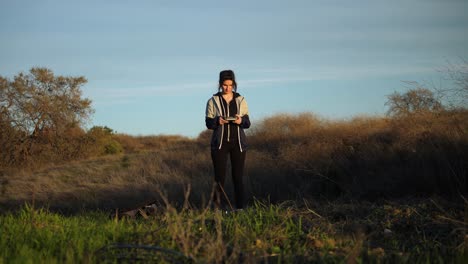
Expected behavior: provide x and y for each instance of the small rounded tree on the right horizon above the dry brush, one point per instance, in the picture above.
(413, 101)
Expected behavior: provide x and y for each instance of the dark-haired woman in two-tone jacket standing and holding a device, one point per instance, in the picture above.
(227, 115)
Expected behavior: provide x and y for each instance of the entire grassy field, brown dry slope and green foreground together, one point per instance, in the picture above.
(366, 190)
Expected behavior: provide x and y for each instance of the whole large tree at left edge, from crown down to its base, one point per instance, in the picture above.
(40, 115)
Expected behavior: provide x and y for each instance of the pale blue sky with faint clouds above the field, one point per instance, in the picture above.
(152, 65)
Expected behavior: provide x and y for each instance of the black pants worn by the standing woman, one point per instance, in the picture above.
(220, 157)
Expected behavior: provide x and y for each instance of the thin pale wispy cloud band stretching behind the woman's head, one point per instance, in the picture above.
(128, 95)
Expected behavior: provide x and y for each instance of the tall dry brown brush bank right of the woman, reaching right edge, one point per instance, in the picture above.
(363, 157)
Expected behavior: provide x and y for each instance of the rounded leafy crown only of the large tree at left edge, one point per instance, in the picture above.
(40, 101)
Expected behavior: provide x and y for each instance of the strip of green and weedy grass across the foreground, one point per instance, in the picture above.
(425, 231)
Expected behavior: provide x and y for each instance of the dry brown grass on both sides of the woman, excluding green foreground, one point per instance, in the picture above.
(290, 158)
